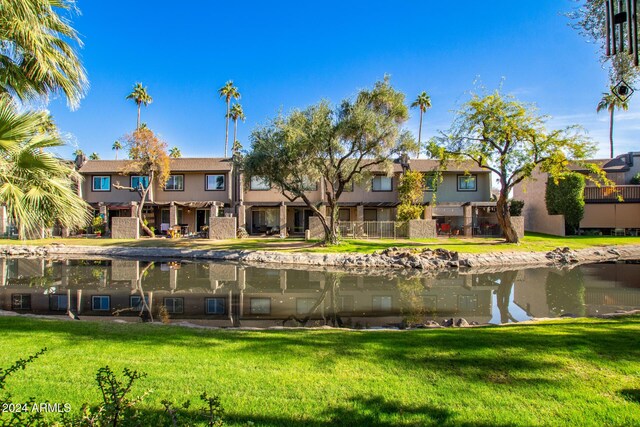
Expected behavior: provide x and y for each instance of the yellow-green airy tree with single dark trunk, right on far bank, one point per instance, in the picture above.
(507, 137)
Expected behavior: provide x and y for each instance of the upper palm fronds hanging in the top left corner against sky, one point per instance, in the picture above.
(37, 58)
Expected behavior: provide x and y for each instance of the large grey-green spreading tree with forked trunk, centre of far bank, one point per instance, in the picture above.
(338, 145)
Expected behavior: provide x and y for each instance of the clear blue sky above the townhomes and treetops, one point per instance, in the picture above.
(289, 54)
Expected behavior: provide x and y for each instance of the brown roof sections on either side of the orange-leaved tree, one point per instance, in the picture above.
(195, 164)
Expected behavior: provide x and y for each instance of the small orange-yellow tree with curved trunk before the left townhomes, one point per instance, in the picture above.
(149, 158)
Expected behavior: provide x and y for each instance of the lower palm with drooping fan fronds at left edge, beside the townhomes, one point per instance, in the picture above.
(36, 187)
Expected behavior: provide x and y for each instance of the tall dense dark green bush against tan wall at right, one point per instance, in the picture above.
(566, 197)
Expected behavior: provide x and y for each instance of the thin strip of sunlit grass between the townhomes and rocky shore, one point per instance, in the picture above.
(531, 242)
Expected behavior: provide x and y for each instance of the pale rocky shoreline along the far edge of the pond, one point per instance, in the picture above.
(392, 258)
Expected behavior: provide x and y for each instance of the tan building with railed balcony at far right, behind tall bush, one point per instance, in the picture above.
(613, 209)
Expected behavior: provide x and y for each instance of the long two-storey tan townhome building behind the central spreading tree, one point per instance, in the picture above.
(459, 197)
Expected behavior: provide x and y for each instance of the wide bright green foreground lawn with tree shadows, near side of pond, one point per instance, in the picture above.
(566, 372)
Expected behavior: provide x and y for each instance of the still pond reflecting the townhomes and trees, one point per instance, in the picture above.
(237, 295)
